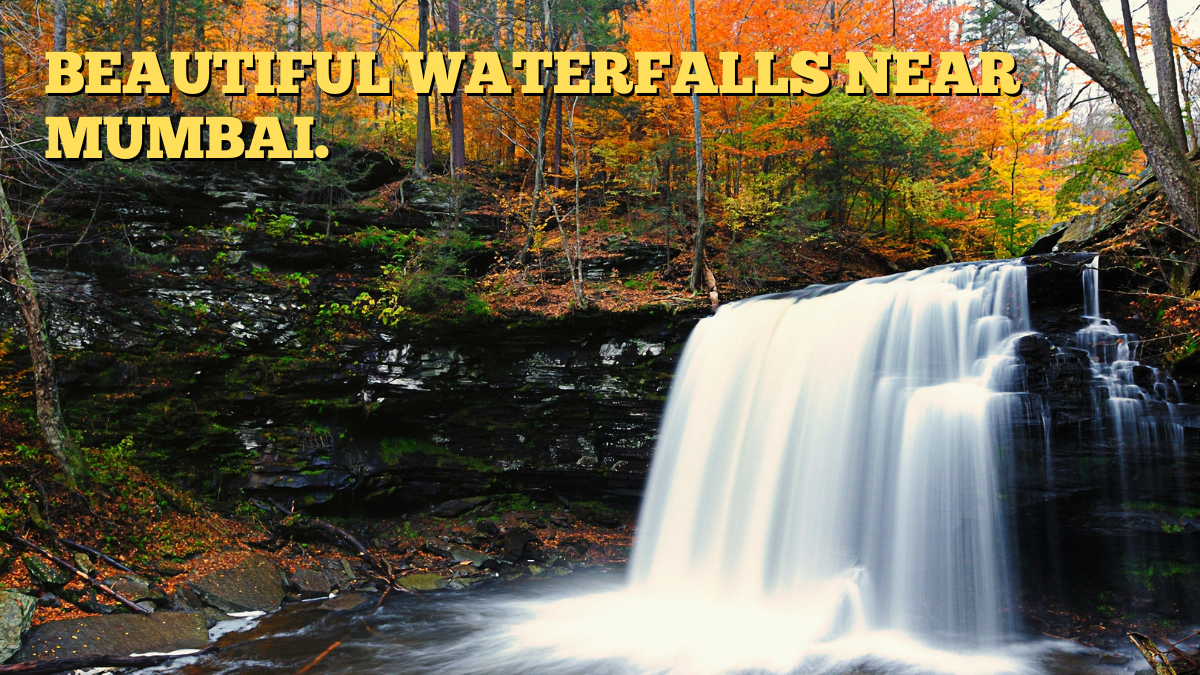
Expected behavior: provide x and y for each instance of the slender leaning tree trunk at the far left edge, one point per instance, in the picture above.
(21, 285)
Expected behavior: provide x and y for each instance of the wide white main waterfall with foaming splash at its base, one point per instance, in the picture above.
(827, 488)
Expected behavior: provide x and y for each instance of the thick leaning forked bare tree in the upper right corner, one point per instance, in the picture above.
(1113, 70)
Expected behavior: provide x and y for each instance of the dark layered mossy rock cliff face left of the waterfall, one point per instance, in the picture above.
(205, 331)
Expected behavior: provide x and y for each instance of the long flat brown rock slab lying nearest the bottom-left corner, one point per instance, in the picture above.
(118, 634)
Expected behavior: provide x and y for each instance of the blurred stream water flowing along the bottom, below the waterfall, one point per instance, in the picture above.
(505, 629)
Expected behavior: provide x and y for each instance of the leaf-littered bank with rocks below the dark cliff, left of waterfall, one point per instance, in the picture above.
(171, 539)
